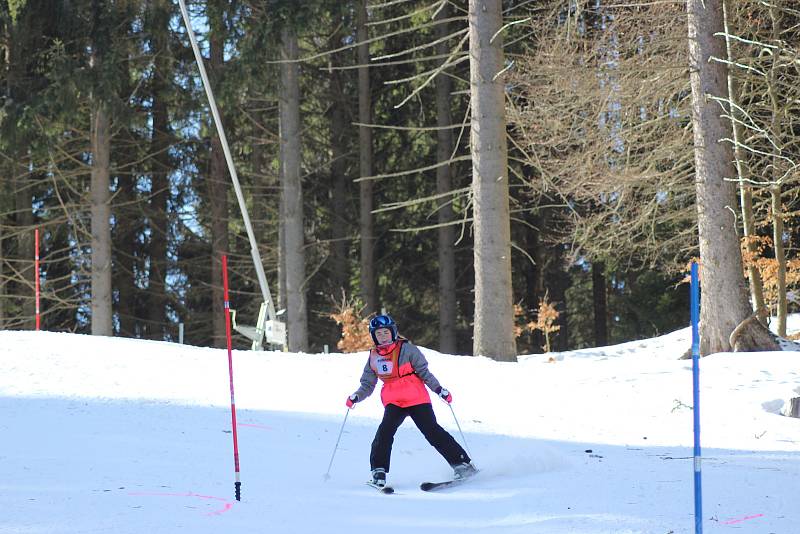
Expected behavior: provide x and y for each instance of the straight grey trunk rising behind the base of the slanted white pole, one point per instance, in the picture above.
(292, 220)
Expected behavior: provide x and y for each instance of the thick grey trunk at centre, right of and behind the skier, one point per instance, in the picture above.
(494, 316)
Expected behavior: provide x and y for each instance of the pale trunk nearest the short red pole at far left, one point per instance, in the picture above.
(101, 223)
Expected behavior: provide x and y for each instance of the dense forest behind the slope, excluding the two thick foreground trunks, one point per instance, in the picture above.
(359, 113)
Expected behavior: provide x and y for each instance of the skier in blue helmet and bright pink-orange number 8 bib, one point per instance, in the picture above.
(404, 372)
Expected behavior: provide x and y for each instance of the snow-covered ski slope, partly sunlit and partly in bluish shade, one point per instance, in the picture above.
(123, 436)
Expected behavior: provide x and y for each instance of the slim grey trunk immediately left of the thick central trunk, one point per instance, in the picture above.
(444, 184)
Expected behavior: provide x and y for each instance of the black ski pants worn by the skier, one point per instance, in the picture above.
(425, 419)
